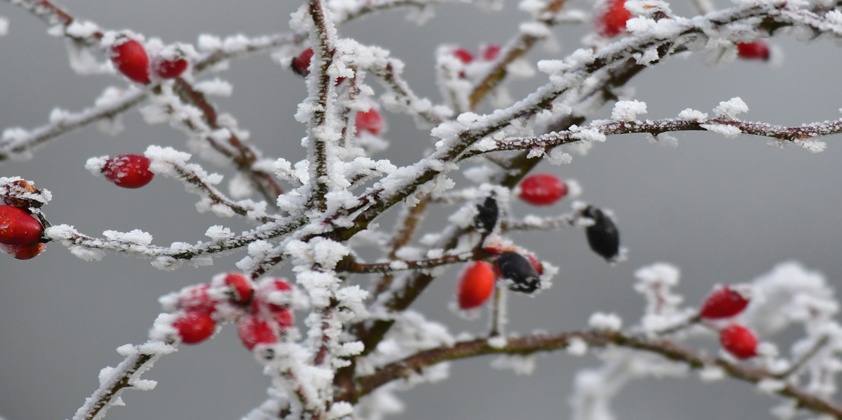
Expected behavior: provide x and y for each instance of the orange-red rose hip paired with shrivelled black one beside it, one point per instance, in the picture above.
(476, 284)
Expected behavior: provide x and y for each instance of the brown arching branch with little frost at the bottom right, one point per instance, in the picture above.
(543, 343)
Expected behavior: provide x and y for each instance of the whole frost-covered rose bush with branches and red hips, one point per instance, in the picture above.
(341, 334)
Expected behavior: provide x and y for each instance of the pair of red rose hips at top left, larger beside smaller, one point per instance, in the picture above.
(131, 59)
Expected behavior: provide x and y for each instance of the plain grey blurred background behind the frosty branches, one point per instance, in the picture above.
(723, 210)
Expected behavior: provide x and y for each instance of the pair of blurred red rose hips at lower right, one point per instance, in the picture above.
(726, 303)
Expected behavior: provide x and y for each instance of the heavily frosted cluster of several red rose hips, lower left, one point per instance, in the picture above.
(262, 312)
